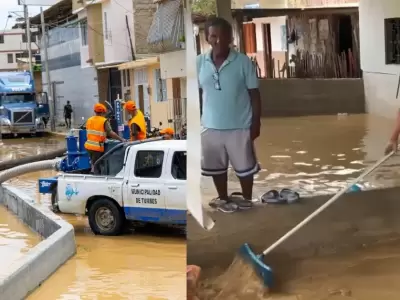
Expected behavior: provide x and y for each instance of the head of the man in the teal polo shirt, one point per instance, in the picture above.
(219, 34)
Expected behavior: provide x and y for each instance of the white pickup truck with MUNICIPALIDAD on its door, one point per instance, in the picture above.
(148, 184)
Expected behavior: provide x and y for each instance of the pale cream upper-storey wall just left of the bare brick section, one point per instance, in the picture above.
(115, 32)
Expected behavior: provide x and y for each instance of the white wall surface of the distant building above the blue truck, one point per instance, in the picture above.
(12, 45)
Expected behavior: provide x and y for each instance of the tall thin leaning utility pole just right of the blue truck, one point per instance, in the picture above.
(46, 66)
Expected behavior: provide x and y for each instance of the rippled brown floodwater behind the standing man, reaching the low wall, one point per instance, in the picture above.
(320, 154)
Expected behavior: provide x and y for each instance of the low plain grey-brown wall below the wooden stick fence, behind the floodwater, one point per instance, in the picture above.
(299, 97)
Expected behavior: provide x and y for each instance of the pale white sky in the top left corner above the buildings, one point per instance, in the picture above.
(7, 6)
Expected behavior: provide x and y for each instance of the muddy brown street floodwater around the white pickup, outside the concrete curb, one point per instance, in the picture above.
(149, 266)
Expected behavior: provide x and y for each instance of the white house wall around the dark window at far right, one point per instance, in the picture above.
(380, 79)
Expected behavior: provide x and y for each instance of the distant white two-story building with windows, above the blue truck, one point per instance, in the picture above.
(14, 46)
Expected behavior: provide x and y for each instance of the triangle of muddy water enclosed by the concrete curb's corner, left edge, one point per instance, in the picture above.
(15, 238)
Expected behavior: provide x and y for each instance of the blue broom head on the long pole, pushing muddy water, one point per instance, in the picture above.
(261, 269)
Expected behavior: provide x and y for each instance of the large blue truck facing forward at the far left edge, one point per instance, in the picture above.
(22, 109)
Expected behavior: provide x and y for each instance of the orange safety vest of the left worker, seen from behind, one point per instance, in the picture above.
(96, 134)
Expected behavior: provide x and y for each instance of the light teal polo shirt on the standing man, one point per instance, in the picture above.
(228, 107)
